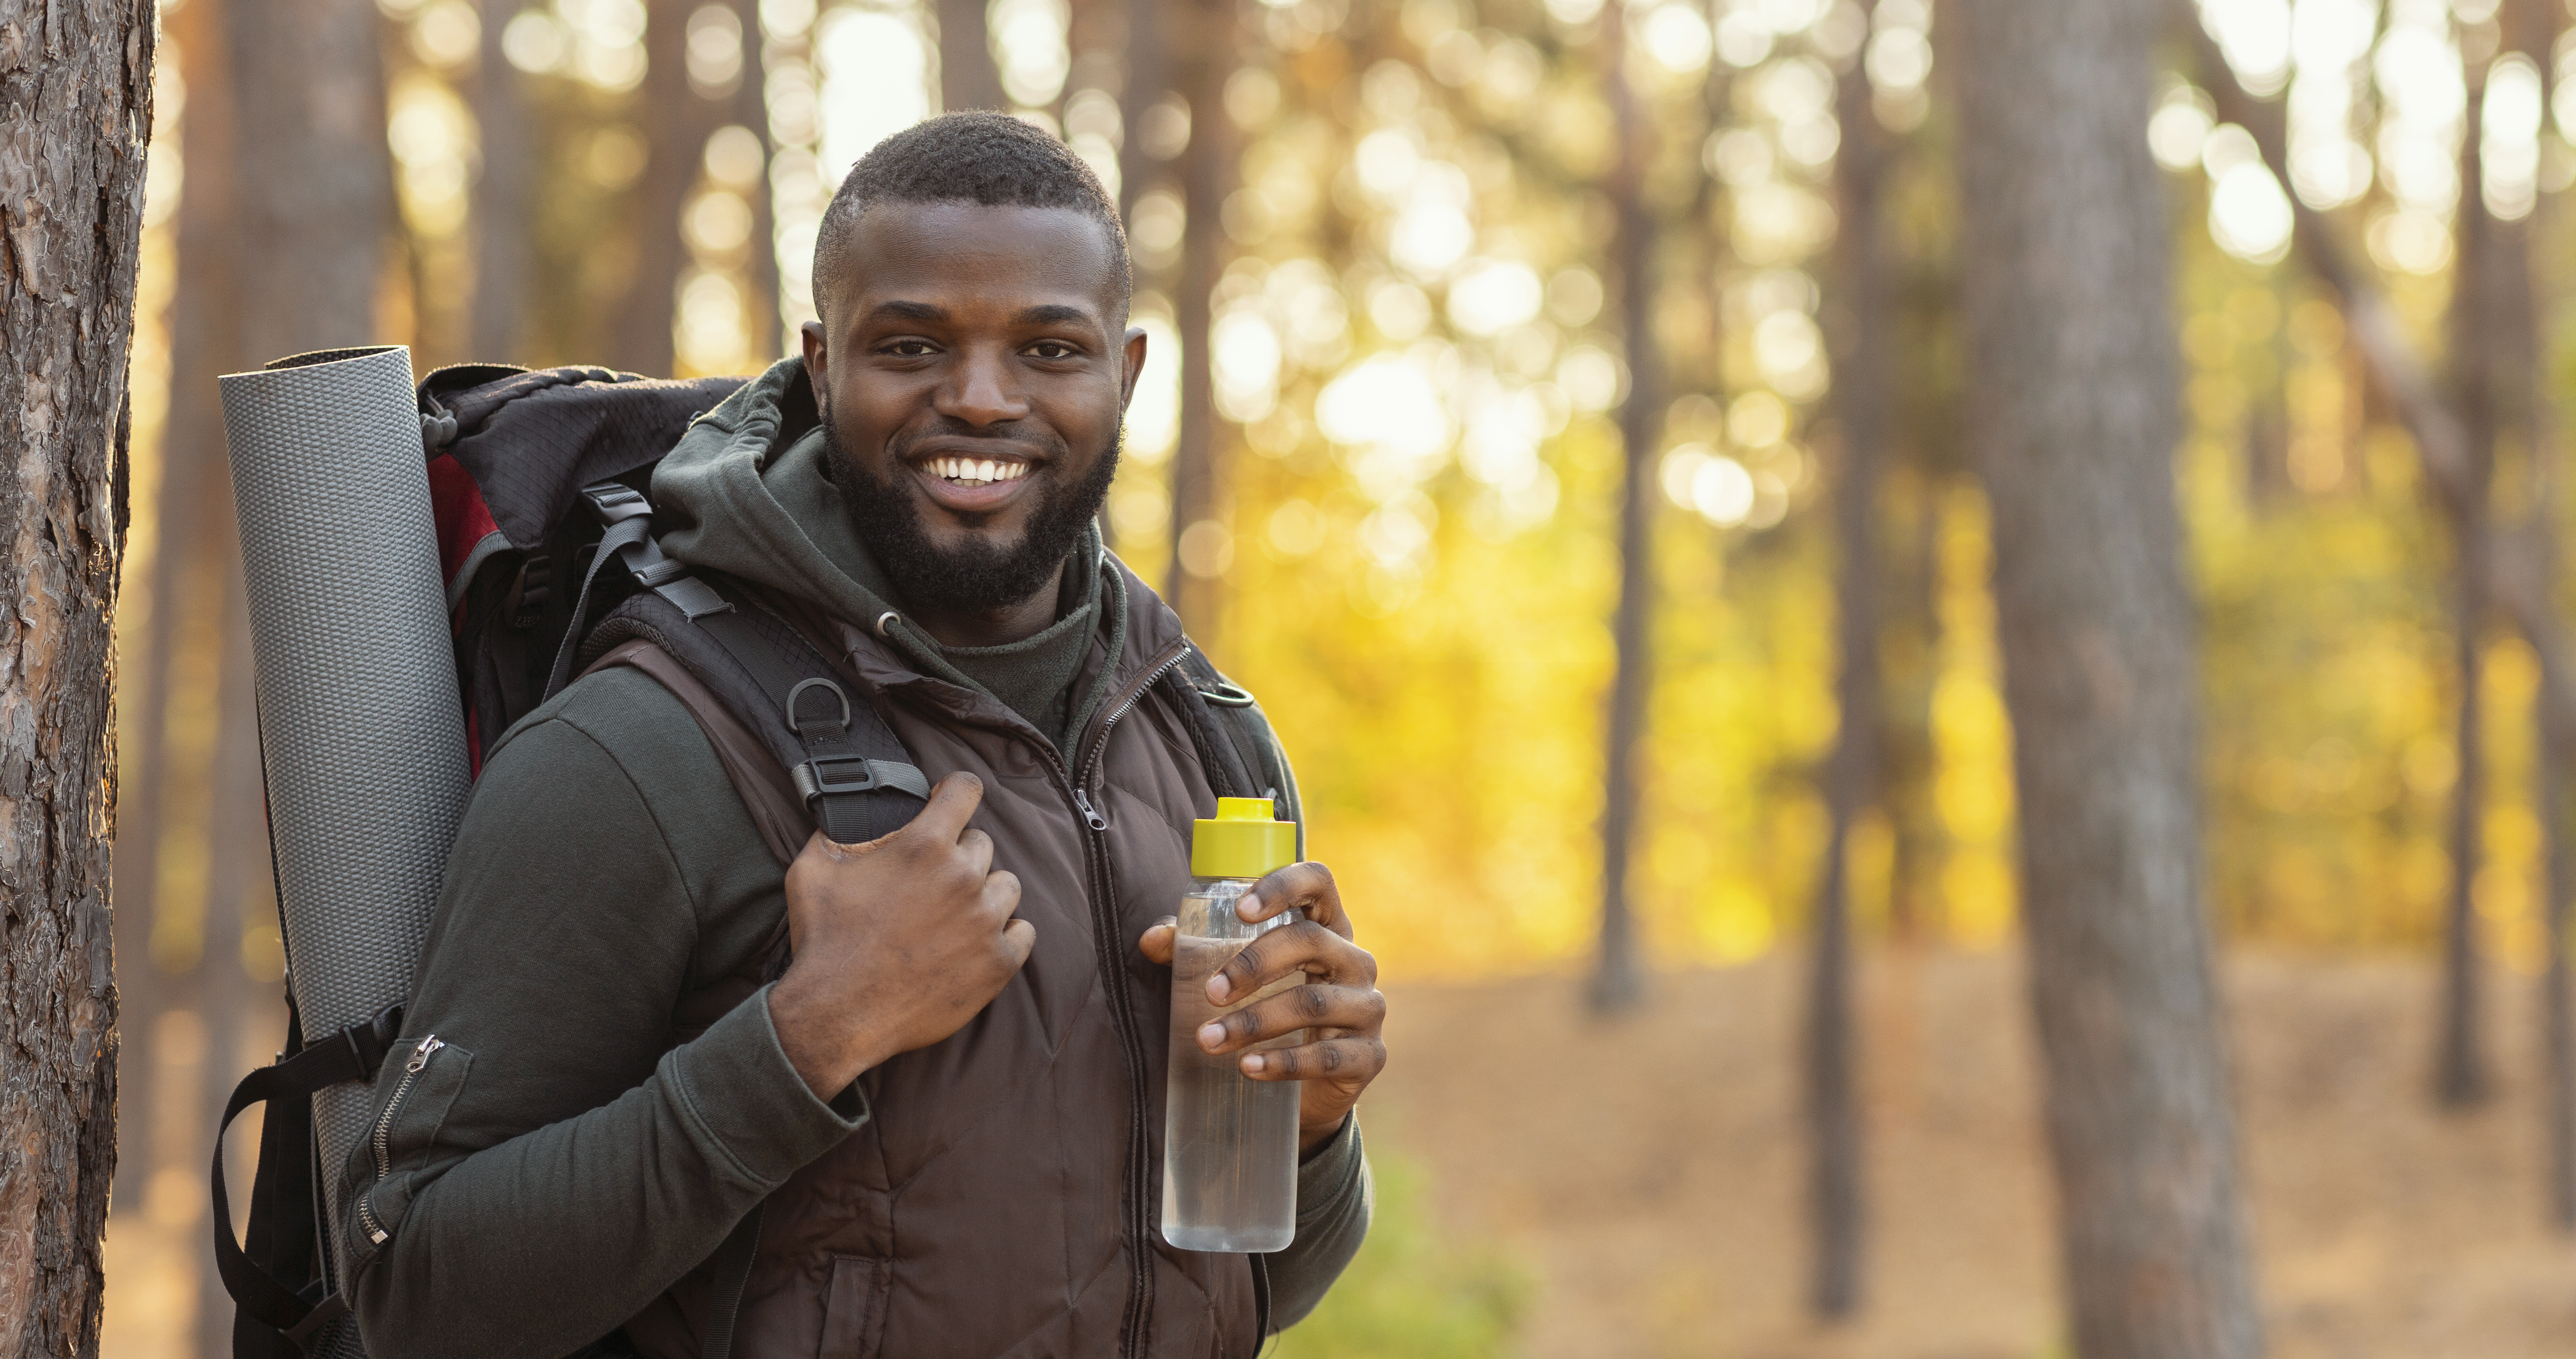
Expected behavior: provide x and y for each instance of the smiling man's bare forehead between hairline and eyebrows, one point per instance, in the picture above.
(965, 257)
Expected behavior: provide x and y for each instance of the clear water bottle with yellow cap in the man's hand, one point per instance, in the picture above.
(1230, 1141)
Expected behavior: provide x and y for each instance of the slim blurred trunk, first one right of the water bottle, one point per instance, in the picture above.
(1619, 979)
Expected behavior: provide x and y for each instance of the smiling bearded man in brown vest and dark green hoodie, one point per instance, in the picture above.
(949, 1105)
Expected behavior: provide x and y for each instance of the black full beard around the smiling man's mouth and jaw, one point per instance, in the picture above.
(975, 576)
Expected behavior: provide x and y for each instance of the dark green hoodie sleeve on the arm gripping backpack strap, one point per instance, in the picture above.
(553, 1162)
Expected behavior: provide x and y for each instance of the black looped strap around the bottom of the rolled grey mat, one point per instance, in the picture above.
(259, 1296)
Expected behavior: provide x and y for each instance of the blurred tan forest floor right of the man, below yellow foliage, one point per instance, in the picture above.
(1650, 1172)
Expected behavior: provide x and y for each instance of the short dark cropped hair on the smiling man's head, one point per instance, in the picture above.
(965, 159)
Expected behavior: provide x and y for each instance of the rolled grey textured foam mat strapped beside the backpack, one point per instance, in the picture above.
(362, 731)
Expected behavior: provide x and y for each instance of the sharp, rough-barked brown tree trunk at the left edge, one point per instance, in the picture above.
(76, 81)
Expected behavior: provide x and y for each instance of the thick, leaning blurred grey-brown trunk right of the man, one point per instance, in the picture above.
(2075, 406)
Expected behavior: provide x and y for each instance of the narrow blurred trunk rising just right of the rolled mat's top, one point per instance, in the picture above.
(504, 228)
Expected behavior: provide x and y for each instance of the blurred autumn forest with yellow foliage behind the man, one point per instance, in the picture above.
(1560, 419)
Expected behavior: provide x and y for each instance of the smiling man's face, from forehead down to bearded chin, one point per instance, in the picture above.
(972, 380)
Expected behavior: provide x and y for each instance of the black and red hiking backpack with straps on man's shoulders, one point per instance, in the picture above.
(542, 491)
